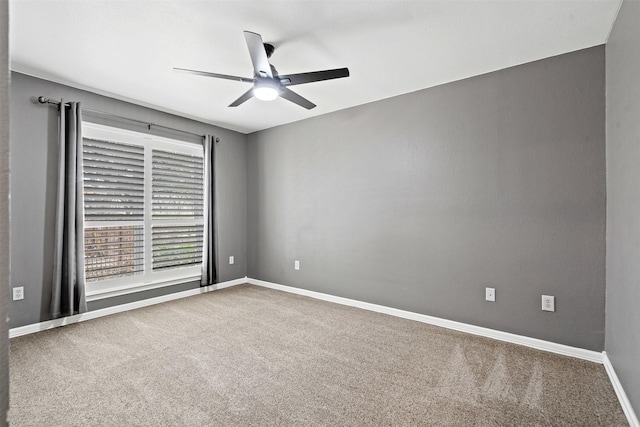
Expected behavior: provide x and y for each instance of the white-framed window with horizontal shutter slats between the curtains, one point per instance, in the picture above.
(144, 210)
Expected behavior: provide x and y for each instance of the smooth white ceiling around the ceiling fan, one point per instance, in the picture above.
(127, 49)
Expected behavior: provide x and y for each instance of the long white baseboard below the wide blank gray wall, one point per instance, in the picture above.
(549, 346)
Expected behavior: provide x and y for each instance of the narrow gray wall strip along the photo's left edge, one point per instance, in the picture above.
(4, 211)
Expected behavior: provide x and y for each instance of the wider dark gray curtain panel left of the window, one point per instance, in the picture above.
(68, 290)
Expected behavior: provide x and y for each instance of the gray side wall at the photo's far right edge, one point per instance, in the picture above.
(623, 199)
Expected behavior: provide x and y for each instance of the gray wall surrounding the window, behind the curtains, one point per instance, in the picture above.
(33, 181)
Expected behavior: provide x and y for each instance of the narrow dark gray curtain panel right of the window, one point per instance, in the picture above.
(209, 261)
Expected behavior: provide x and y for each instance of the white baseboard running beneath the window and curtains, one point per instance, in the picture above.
(49, 324)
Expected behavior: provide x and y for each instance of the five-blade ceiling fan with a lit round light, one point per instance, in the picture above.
(267, 83)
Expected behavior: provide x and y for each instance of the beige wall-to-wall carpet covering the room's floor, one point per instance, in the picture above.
(250, 356)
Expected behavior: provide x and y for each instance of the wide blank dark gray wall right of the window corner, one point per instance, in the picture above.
(421, 201)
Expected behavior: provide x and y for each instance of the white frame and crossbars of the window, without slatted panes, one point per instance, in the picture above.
(149, 279)
